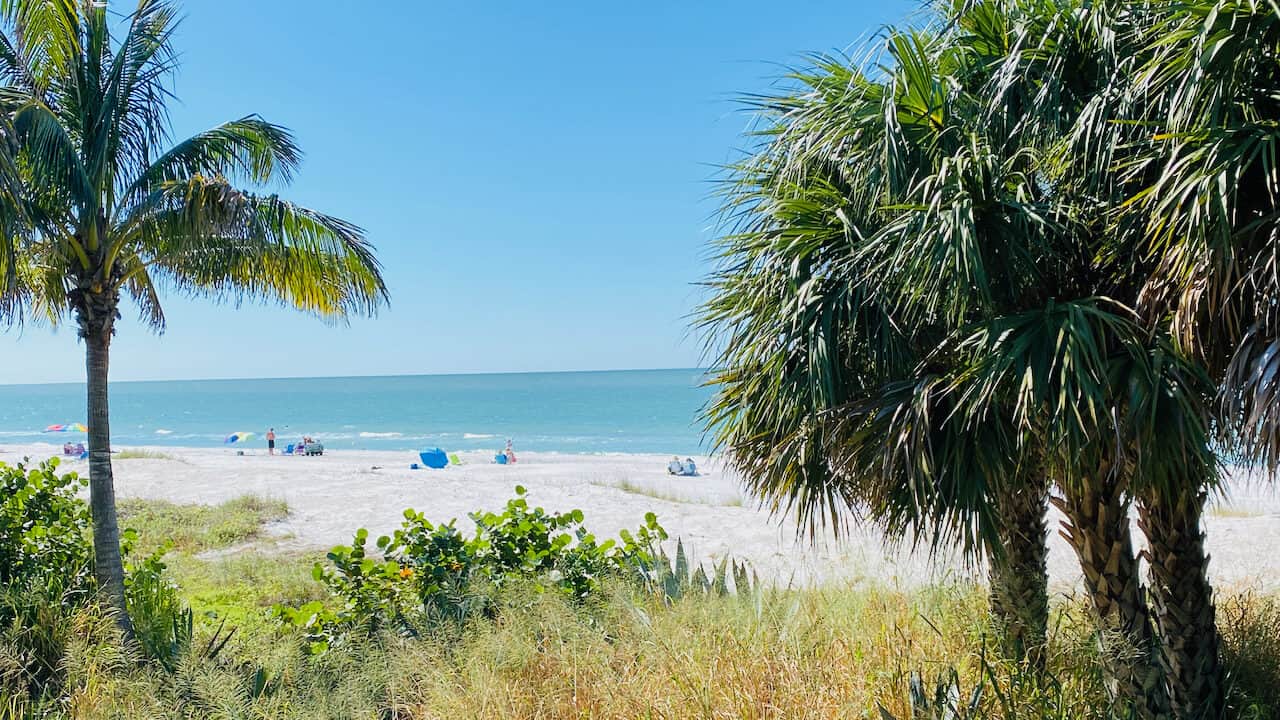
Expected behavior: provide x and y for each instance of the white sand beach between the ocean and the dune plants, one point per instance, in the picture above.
(332, 496)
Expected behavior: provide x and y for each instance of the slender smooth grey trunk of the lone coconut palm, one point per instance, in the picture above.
(108, 564)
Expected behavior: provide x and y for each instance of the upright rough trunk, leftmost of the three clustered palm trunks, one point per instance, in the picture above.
(1020, 577)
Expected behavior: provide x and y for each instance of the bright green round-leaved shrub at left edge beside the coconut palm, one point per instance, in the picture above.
(44, 541)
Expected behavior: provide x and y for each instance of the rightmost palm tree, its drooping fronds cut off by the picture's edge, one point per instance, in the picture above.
(1209, 212)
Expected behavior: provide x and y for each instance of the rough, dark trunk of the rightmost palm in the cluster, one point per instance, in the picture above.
(1182, 601)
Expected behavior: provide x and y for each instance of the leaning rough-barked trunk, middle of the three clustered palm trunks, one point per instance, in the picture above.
(1098, 528)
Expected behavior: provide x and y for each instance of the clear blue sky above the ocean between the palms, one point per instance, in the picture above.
(536, 176)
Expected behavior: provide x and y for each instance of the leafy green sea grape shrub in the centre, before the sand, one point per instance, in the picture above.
(429, 573)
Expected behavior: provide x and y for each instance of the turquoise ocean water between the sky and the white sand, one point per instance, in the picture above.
(582, 413)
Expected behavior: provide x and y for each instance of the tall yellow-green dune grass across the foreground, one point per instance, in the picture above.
(838, 651)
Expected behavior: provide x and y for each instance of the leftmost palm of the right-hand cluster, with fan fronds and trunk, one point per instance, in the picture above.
(812, 326)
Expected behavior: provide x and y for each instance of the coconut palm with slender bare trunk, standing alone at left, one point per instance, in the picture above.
(115, 209)
